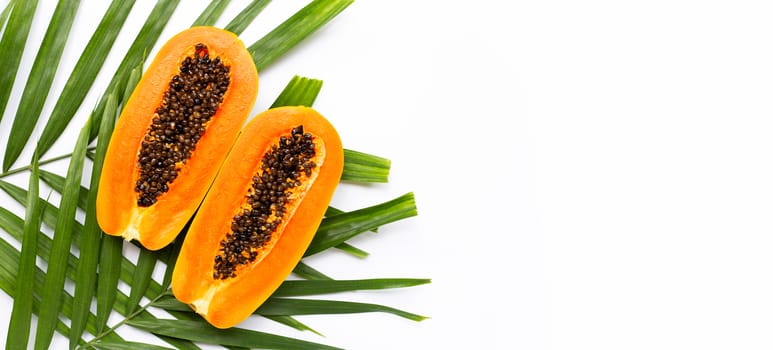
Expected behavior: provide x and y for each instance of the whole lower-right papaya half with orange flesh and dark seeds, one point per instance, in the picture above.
(260, 214)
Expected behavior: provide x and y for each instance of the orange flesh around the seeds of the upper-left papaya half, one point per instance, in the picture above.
(157, 225)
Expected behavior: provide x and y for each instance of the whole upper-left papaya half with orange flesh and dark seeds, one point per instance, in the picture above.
(174, 133)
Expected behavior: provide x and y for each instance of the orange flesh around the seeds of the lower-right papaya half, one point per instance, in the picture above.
(227, 302)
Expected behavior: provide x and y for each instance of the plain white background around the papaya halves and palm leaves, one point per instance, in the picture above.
(589, 175)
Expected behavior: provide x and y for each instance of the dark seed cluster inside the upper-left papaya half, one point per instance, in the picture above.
(192, 98)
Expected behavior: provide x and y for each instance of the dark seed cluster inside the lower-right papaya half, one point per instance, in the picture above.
(284, 167)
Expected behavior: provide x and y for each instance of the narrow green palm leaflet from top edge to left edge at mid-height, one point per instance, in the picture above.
(40, 79)
